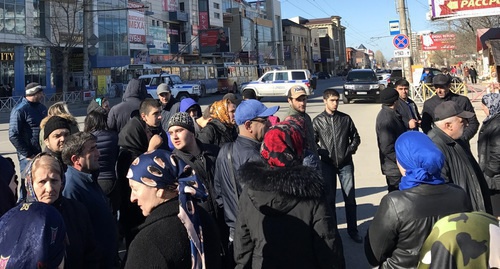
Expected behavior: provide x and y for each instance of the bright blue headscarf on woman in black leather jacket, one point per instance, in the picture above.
(421, 159)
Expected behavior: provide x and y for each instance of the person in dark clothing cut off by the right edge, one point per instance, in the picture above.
(488, 147)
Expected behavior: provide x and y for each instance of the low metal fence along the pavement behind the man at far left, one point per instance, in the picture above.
(8, 103)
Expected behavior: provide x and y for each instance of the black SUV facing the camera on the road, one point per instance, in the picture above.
(361, 84)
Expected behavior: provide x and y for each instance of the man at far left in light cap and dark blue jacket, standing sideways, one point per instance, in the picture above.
(24, 127)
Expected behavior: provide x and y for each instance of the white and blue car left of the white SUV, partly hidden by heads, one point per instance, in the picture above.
(179, 89)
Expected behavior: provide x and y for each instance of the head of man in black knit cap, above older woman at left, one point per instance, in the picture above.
(55, 132)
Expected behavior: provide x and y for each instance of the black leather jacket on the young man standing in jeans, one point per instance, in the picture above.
(337, 137)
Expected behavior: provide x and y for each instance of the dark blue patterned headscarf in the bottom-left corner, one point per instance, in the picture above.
(32, 236)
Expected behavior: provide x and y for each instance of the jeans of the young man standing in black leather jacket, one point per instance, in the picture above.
(346, 178)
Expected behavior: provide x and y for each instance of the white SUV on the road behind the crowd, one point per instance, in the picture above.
(279, 82)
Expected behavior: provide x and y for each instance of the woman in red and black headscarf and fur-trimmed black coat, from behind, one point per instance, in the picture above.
(284, 220)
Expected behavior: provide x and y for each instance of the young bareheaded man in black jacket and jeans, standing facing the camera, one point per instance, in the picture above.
(338, 139)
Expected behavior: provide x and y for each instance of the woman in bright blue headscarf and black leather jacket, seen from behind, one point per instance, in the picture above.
(405, 218)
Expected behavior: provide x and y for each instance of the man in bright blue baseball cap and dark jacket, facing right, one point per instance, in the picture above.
(252, 119)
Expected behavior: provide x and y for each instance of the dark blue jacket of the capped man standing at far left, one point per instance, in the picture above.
(24, 127)
